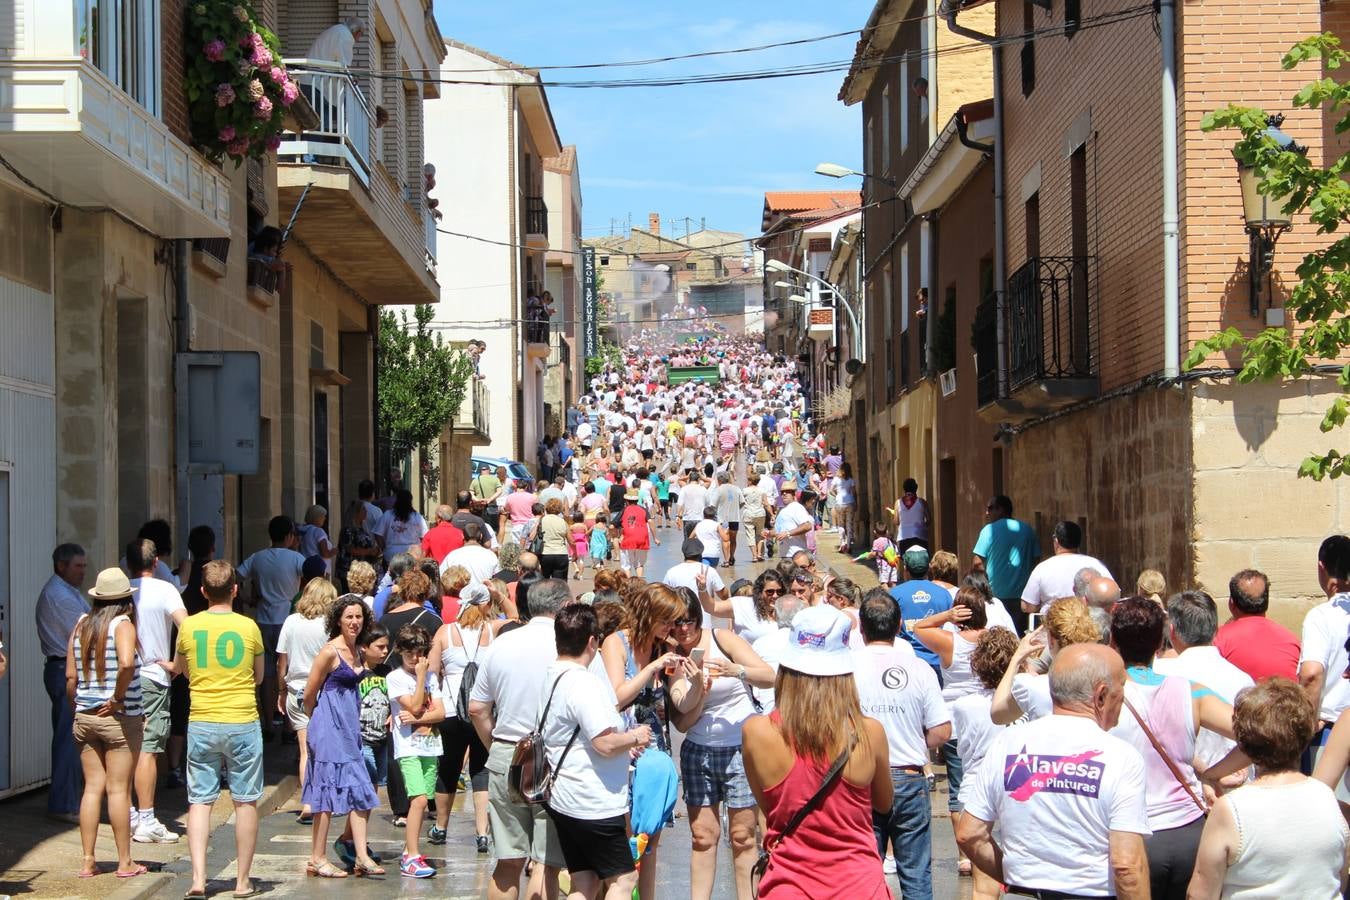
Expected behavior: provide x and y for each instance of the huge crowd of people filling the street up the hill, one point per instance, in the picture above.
(1096, 741)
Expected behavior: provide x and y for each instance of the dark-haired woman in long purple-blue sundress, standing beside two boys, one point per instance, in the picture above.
(337, 782)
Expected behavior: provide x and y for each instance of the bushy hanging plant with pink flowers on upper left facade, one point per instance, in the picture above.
(236, 83)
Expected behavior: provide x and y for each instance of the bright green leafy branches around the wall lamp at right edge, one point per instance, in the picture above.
(1321, 299)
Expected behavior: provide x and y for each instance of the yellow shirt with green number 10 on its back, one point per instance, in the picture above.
(221, 650)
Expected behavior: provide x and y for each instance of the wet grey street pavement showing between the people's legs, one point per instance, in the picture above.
(464, 874)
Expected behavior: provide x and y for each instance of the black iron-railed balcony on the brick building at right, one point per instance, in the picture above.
(1050, 341)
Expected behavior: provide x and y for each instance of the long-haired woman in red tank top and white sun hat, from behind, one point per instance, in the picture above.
(789, 755)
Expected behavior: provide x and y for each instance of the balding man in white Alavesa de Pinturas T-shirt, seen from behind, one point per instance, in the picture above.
(1069, 797)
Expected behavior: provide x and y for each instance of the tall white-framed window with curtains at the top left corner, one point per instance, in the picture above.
(121, 38)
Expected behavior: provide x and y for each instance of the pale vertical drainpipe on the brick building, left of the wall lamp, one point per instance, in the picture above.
(1171, 227)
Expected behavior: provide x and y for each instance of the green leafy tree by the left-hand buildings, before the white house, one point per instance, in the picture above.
(422, 378)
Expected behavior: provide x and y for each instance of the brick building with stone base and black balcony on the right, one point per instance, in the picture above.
(1195, 477)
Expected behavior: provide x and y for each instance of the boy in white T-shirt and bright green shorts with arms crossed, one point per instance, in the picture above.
(416, 697)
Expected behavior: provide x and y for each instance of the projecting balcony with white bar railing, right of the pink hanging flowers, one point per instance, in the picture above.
(350, 210)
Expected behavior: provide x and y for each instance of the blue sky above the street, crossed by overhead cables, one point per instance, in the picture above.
(705, 152)
